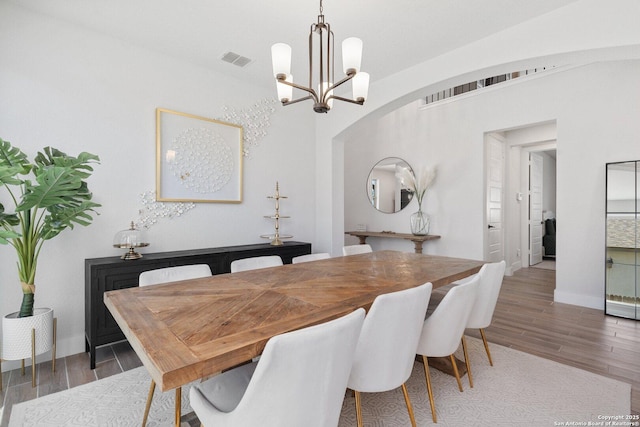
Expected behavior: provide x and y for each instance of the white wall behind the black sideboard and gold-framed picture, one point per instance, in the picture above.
(77, 90)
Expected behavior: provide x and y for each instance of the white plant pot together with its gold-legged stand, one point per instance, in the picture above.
(24, 337)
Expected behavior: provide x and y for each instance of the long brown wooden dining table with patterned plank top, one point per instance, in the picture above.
(189, 330)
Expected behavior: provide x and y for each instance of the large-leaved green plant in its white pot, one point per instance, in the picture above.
(49, 194)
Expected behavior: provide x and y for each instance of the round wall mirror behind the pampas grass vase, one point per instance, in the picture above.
(384, 189)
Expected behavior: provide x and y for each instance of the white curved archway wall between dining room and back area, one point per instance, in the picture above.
(580, 33)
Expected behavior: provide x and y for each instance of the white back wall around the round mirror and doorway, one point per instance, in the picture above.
(595, 125)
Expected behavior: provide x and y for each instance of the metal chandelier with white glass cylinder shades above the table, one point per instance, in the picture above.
(321, 87)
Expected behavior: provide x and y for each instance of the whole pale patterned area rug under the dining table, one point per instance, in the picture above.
(520, 389)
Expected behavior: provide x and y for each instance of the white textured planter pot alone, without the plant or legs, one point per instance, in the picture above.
(16, 334)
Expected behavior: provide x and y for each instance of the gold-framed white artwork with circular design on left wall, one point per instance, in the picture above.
(197, 159)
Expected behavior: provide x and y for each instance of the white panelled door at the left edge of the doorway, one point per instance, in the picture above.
(495, 183)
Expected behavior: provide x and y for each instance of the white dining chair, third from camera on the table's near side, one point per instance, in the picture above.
(443, 329)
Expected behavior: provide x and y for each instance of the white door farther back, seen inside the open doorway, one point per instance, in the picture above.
(535, 208)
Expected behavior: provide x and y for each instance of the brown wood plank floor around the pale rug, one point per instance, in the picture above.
(526, 319)
